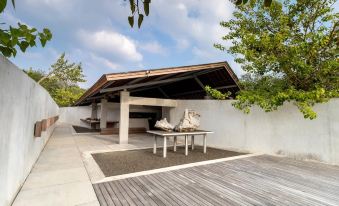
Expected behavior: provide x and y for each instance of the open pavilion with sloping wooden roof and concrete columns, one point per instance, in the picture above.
(156, 87)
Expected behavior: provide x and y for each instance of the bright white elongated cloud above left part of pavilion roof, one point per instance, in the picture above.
(111, 43)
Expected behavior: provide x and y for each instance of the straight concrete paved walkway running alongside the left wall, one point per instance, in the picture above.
(59, 176)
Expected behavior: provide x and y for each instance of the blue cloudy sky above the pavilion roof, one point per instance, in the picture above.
(97, 34)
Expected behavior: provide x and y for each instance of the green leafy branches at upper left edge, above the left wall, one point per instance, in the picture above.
(20, 36)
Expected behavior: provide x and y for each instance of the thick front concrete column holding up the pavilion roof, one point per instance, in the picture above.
(124, 117)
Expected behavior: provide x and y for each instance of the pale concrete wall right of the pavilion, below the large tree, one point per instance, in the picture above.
(283, 132)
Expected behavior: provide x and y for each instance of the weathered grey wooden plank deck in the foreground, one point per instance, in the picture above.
(260, 180)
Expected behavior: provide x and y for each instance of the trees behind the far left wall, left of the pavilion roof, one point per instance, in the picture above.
(61, 81)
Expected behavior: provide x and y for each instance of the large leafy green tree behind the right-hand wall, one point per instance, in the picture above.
(289, 51)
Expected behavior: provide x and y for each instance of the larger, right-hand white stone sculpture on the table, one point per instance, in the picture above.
(189, 122)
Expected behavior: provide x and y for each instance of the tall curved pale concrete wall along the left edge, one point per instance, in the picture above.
(22, 103)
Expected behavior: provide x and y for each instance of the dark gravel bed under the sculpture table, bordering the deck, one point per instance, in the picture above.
(124, 162)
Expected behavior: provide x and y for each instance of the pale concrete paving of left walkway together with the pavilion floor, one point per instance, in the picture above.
(63, 173)
